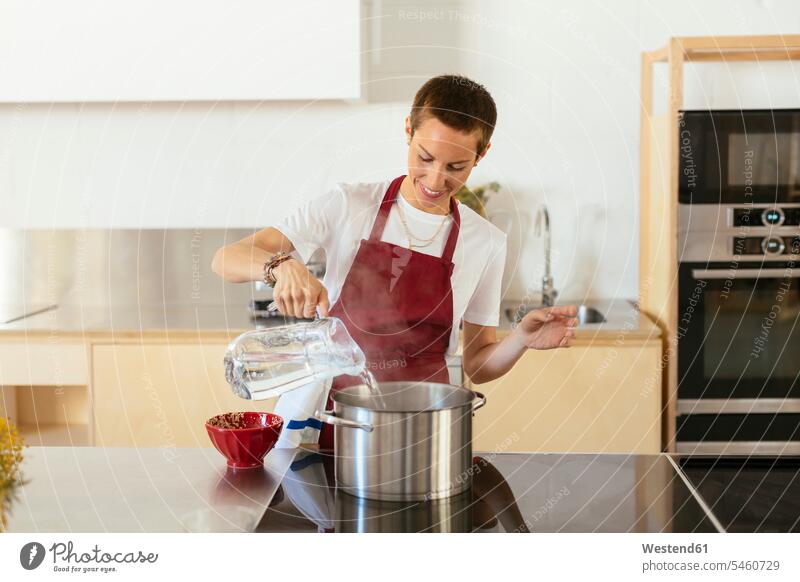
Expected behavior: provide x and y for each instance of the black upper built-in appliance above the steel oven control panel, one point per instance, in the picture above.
(739, 156)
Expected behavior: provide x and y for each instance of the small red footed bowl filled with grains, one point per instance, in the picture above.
(246, 447)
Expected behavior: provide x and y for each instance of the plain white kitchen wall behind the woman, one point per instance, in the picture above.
(565, 76)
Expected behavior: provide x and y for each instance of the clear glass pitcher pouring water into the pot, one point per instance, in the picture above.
(266, 363)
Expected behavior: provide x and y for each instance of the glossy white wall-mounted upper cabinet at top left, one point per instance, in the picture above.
(183, 50)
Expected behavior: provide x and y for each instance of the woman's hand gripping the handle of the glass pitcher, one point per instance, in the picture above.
(297, 292)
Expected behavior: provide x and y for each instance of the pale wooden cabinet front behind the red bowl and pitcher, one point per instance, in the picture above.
(160, 395)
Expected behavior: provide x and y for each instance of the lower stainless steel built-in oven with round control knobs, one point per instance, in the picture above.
(738, 330)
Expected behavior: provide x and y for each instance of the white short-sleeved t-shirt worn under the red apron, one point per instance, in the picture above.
(338, 220)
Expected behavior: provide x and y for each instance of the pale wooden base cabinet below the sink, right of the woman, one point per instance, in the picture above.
(589, 398)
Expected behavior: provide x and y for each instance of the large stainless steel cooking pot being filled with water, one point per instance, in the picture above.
(403, 441)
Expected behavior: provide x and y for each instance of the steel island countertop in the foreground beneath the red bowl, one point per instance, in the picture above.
(91, 489)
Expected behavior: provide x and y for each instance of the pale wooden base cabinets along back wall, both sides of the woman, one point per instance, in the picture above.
(601, 395)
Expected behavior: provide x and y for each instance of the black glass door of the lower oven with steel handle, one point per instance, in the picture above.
(739, 331)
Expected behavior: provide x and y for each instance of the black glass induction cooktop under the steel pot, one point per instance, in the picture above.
(511, 492)
